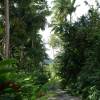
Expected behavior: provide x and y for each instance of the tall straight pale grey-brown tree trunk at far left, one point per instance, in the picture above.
(7, 27)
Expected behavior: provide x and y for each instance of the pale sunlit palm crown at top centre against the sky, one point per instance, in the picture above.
(63, 8)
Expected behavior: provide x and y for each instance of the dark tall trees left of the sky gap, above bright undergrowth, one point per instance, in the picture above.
(26, 19)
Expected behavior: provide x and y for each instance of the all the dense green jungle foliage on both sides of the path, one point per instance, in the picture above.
(25, 75)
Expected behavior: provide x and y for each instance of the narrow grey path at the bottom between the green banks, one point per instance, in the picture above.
(61, 95)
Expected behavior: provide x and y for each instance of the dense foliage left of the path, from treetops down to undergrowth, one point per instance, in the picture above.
(27, 17)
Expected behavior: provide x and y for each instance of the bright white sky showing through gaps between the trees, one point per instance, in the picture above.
(81, 10)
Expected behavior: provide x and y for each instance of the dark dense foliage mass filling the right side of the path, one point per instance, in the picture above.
(78, 61)
